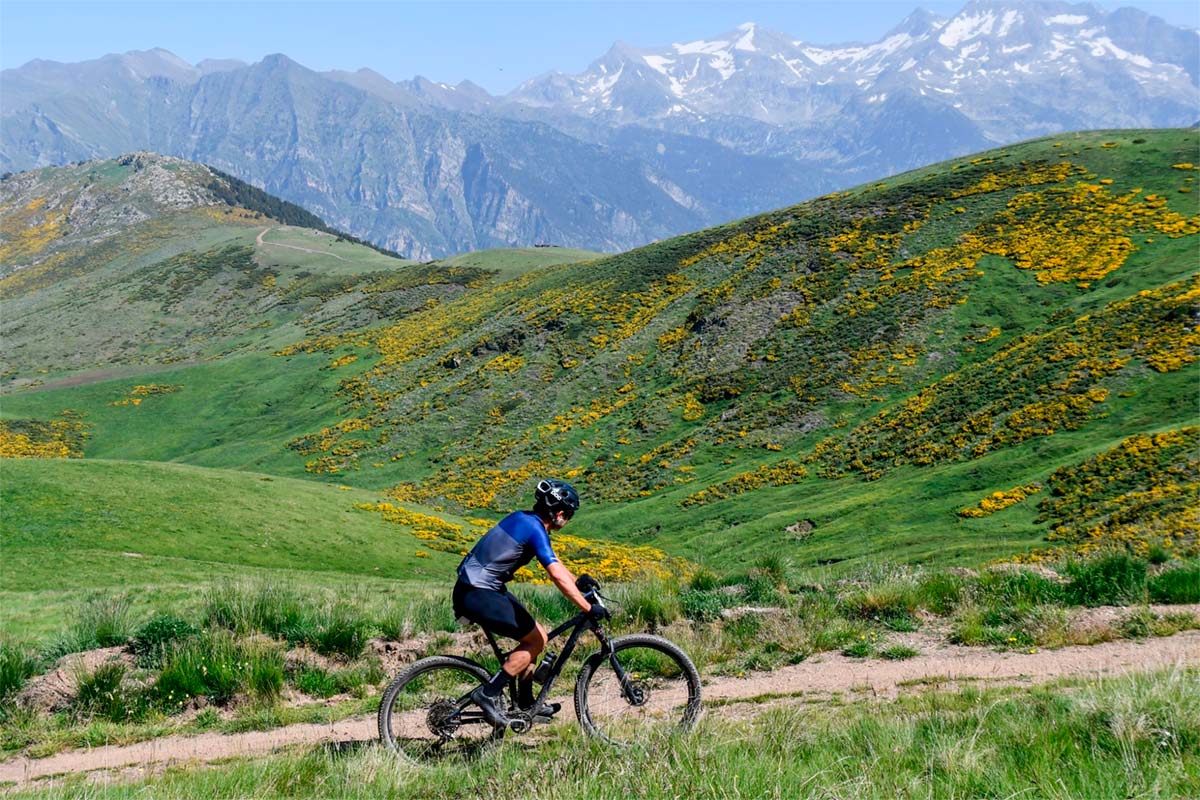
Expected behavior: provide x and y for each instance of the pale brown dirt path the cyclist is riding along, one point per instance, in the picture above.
(729, 697)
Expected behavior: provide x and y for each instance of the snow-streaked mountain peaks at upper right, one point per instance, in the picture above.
(1016, 69)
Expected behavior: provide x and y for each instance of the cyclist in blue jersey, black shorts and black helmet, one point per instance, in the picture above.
(482, 597)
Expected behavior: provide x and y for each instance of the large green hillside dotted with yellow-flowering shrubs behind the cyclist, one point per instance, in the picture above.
(952, 366)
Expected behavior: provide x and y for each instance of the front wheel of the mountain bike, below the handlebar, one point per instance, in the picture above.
(646, 690)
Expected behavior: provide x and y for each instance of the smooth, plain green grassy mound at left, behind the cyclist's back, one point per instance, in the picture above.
(161, 533)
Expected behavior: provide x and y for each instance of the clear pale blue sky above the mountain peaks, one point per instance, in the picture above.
(496, 45)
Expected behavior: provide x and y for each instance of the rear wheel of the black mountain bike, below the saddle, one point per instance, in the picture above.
(424, 714)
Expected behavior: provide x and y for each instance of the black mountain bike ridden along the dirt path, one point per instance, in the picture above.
(634, 690)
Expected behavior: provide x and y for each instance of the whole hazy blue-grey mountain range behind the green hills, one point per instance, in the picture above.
(646, 143)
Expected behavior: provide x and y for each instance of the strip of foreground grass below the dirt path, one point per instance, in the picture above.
(1115, 738)
